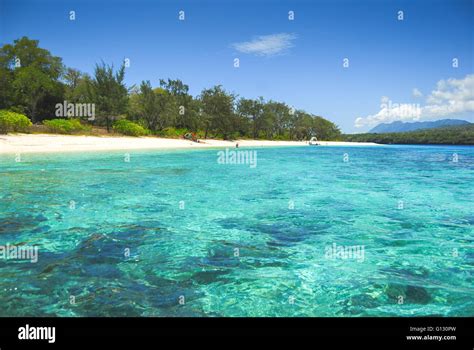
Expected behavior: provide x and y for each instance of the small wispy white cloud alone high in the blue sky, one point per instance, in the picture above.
(266, 45)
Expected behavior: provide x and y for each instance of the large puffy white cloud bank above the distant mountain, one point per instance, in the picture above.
(451, 97)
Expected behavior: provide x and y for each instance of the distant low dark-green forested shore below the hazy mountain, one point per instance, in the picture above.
(462, 135)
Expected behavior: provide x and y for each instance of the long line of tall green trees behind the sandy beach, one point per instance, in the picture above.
(33, 81)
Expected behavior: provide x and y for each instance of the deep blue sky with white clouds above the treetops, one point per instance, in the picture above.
(299, 62)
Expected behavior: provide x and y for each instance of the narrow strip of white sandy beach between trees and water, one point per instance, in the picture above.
(45, 143)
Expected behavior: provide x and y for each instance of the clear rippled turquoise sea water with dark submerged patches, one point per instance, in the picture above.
(174, 233)
